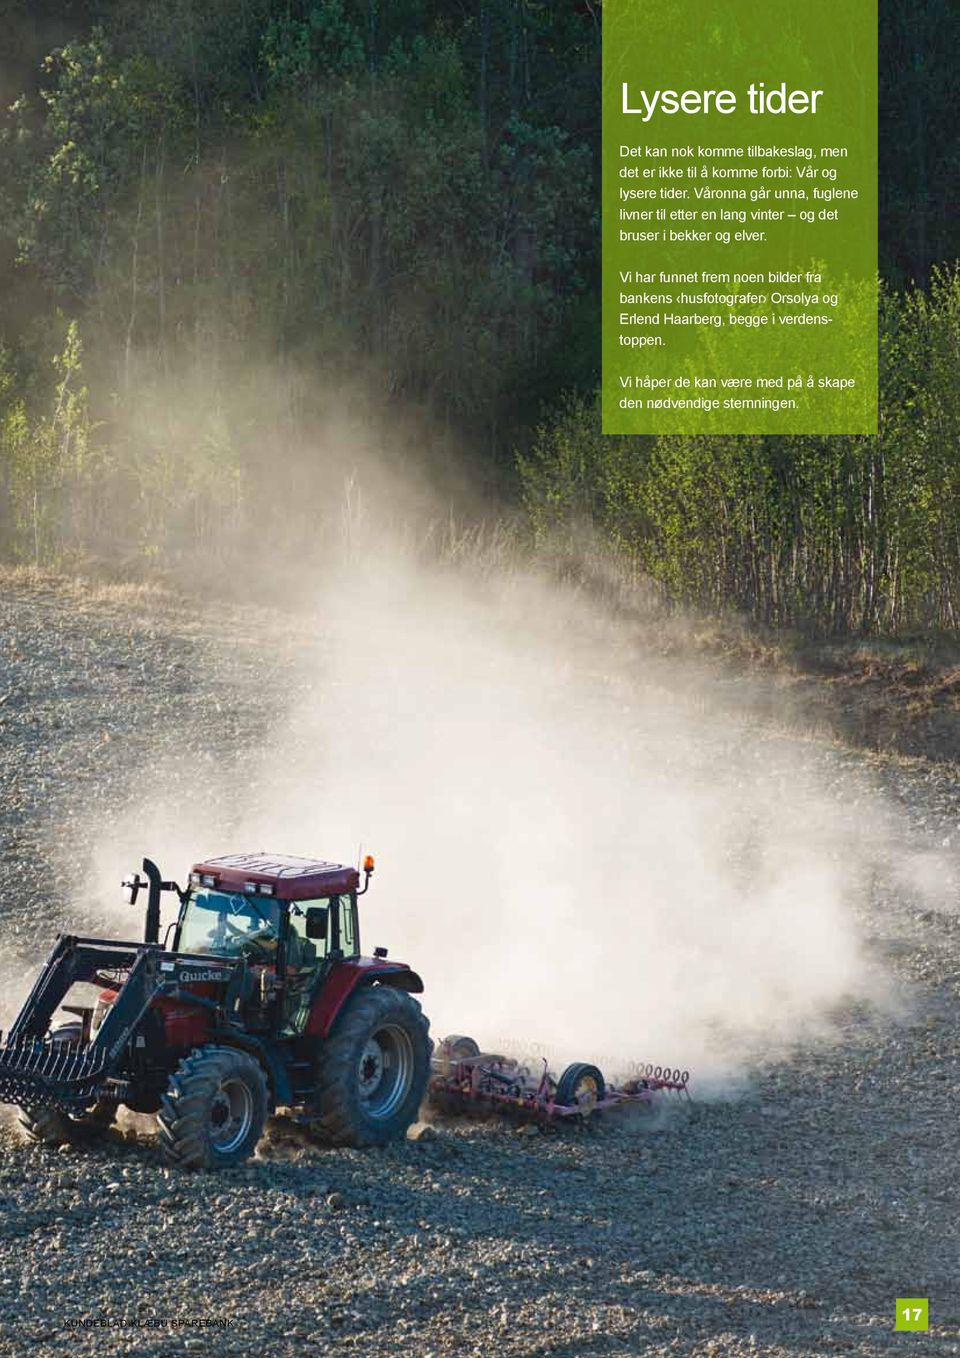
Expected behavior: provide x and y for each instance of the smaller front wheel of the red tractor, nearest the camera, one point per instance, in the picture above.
(214, 1112)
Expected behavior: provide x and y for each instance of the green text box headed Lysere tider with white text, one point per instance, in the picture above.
(775, 332)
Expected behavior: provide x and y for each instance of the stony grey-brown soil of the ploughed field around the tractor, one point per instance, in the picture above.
(781, 1224)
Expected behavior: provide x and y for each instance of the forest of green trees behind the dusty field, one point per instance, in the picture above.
(229, 226)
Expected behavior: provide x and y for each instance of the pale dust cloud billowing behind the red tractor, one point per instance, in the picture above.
(575, 845)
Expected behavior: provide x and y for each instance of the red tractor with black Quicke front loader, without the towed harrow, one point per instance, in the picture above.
(259, 997)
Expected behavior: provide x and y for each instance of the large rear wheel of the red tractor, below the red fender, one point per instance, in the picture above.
(373, 1071)
